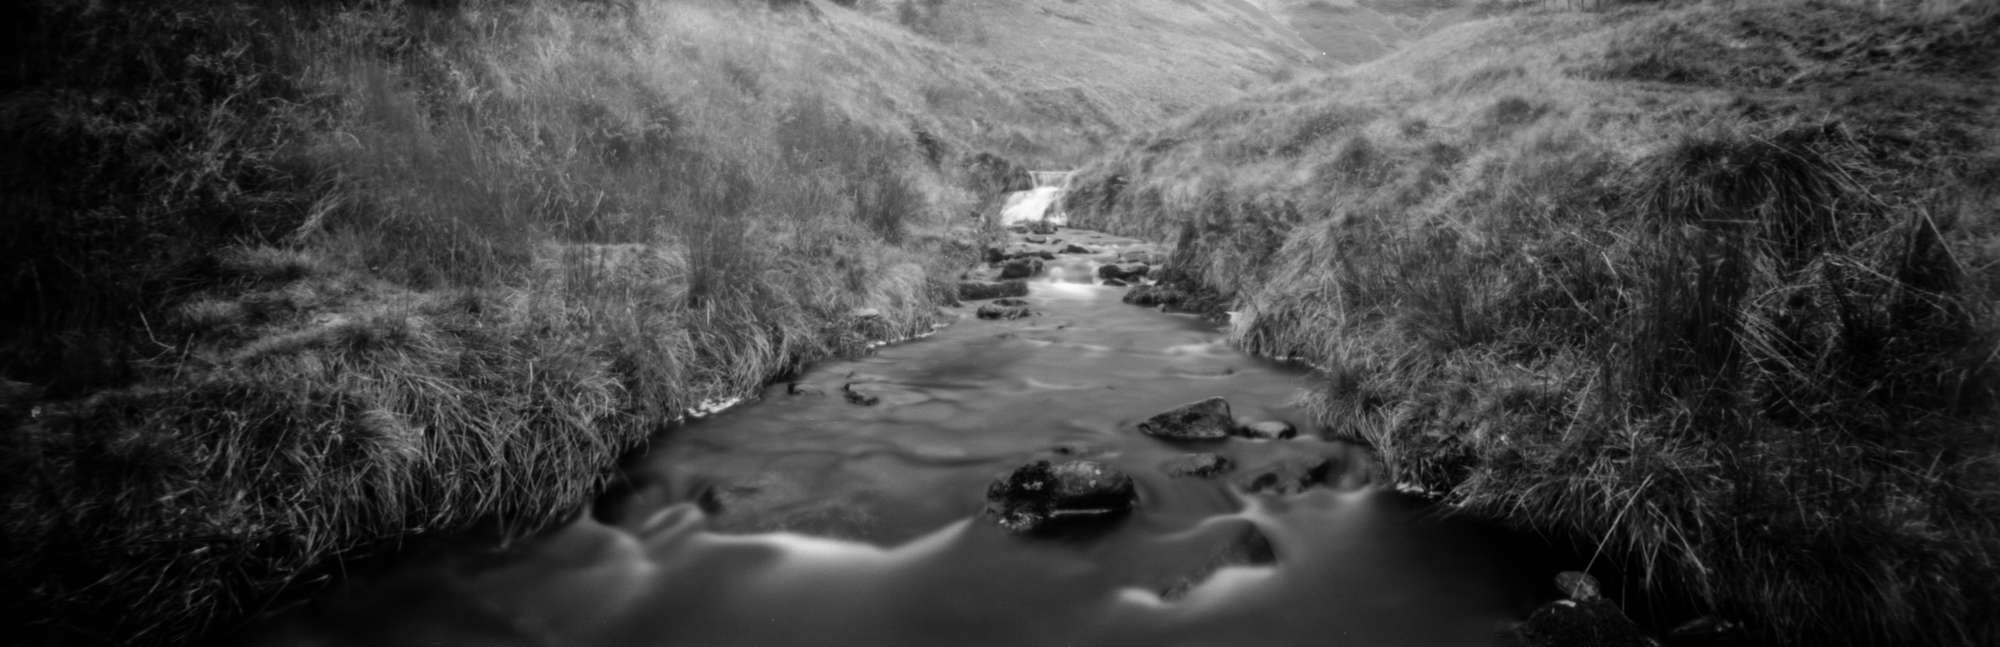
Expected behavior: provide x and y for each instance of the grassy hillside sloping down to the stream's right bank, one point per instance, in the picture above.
(1709, 293)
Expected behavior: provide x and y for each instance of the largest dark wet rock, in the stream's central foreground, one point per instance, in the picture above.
(1043, 494)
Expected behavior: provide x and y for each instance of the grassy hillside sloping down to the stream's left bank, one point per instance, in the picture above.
(295, 283)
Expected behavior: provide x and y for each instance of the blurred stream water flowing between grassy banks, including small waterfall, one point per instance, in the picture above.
(809, 520)
